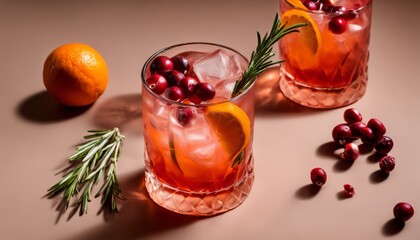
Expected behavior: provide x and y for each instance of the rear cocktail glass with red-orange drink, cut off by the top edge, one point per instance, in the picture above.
(326, 64)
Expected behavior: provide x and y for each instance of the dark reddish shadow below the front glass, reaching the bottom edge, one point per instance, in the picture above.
(139, 216)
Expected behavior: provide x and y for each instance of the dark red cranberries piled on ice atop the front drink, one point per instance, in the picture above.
(174, 78)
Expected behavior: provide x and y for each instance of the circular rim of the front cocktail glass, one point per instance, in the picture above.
(169, 101)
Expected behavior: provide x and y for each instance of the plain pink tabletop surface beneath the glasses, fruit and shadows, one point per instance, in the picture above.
(37, 134)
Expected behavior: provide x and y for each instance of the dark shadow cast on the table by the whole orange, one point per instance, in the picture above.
(43, 108)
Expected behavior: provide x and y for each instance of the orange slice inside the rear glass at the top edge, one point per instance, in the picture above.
(305, 46)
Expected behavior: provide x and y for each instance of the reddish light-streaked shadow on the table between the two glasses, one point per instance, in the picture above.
(269, 99)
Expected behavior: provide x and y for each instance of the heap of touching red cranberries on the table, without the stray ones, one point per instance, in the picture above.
(371, 134)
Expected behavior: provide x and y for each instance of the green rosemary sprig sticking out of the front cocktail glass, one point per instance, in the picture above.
(260, 57)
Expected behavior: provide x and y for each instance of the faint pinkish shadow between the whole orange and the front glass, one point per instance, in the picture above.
(123, 111)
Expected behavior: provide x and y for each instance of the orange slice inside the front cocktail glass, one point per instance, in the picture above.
(231, 125)
